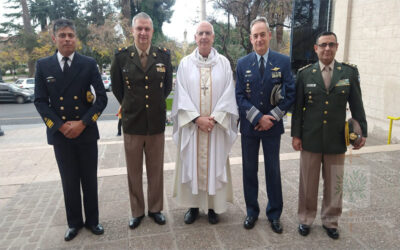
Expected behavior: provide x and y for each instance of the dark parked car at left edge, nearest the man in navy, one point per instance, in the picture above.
(12, 93)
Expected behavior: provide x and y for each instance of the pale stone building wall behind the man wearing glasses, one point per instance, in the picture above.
(369, 36)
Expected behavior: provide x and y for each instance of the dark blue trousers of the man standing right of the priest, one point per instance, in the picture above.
(250, 149)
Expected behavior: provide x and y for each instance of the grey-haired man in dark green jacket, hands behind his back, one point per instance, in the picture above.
(141, 76)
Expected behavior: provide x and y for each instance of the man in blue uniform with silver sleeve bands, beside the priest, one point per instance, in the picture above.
(261, 108)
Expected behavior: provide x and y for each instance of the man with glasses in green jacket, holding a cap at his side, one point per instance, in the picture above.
(318, 126)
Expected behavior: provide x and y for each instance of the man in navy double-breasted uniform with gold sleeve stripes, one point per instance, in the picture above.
(64, 100)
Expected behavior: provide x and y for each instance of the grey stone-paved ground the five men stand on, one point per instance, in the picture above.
(32, 214)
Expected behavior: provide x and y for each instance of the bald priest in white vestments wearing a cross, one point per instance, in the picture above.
(205, 116)
